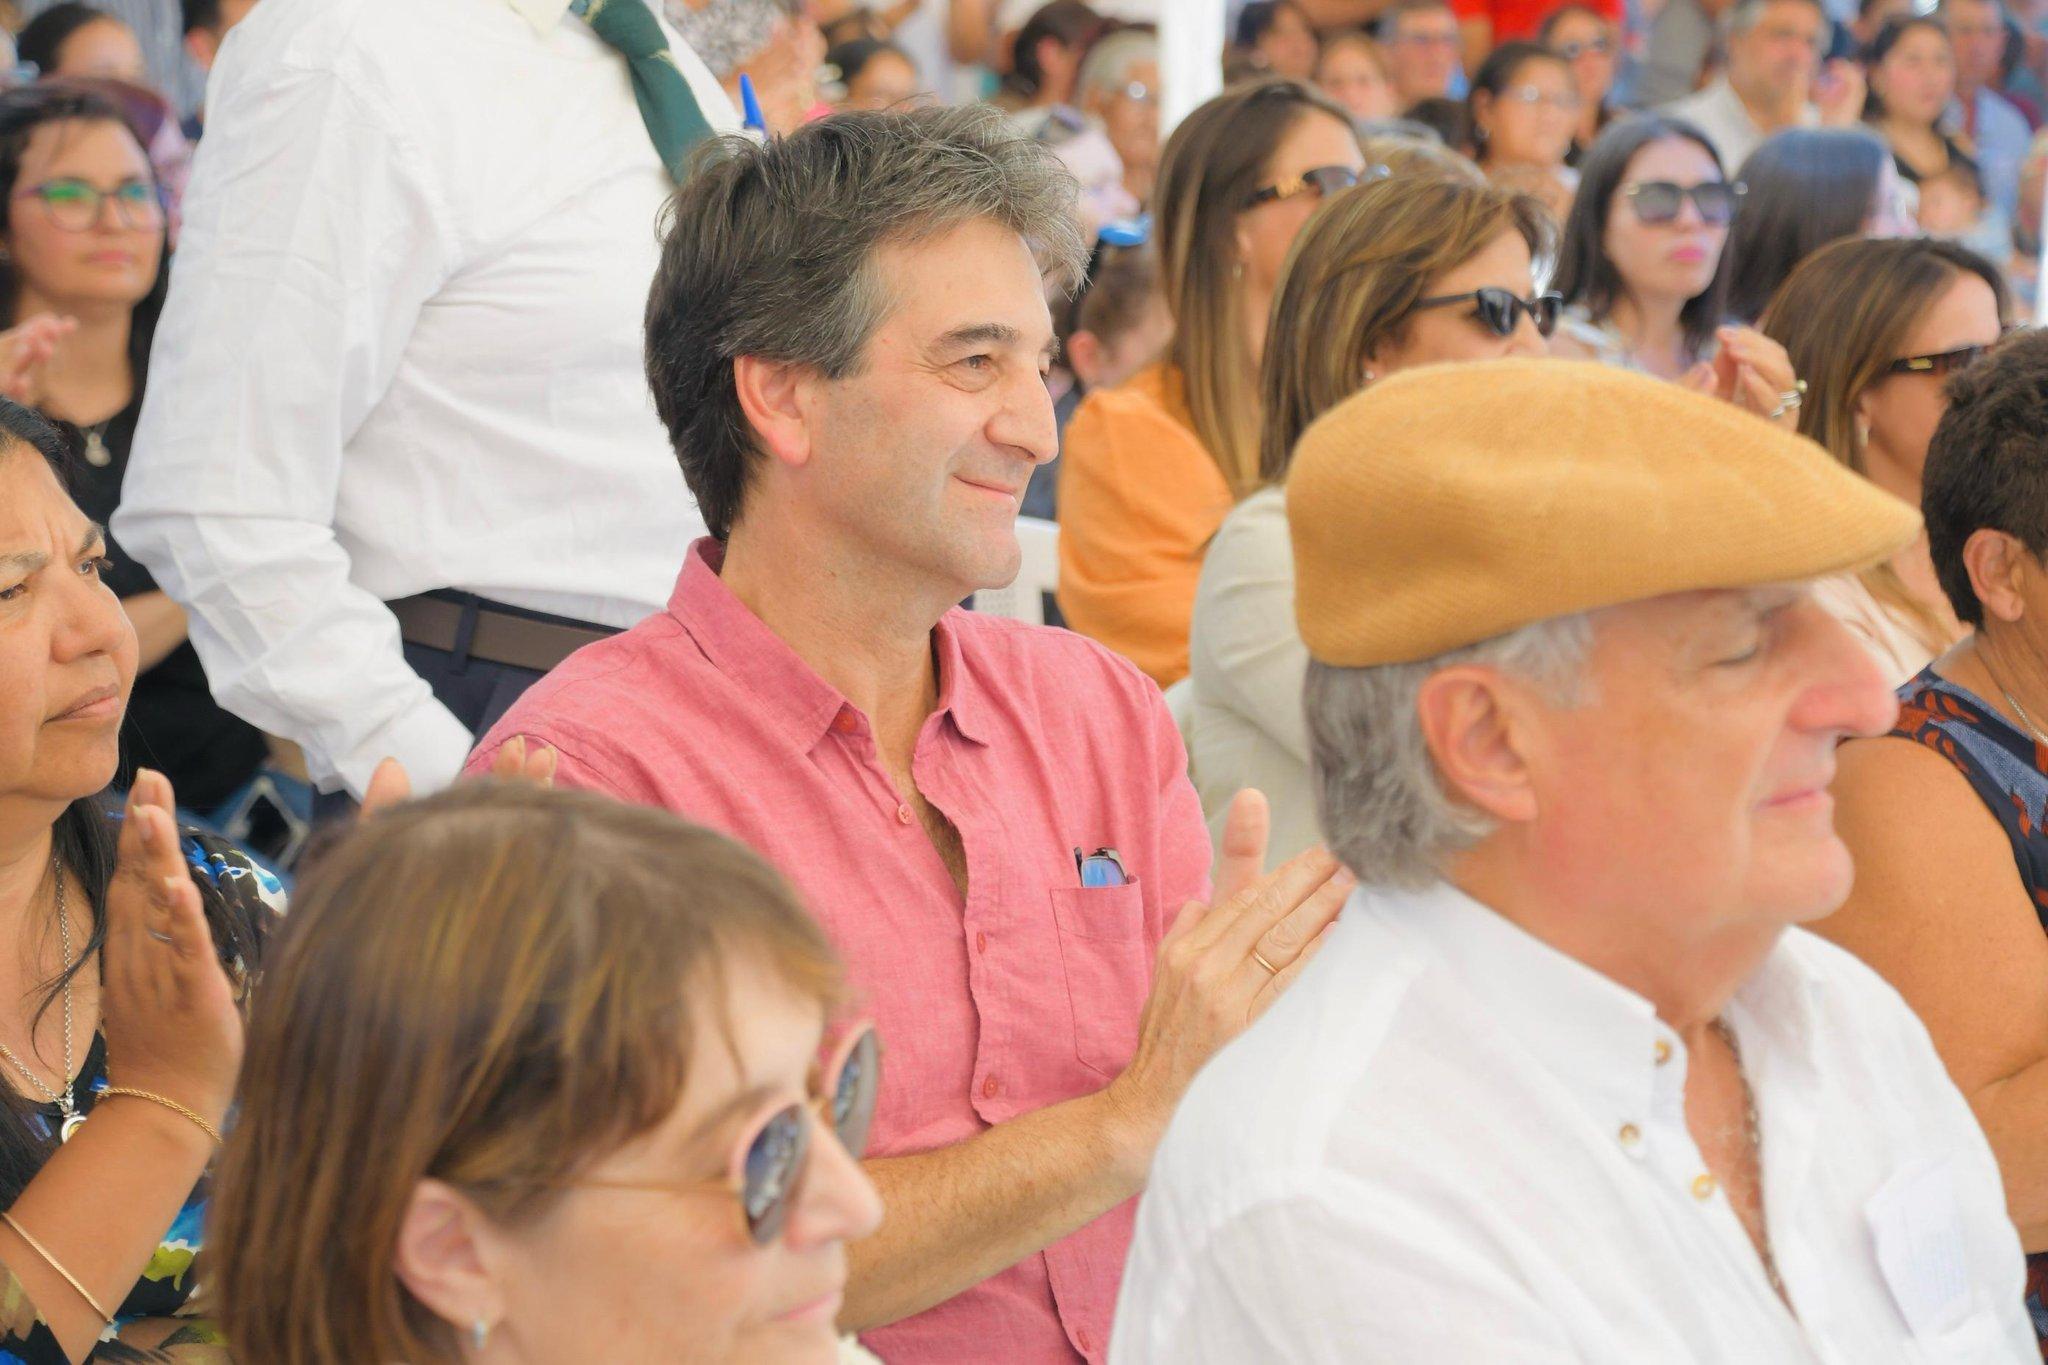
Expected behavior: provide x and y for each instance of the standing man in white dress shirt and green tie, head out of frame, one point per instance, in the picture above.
(398, 390)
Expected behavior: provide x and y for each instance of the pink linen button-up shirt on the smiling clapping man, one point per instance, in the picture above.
(1013, 1000)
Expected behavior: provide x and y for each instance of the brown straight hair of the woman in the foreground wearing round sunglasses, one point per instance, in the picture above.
(493, 987)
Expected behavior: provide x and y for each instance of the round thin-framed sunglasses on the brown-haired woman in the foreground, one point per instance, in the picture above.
(775, 1155)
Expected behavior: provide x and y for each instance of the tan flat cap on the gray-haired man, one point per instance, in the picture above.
(1457, 502)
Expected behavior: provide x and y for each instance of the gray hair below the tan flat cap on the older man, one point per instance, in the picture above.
(1381, 801)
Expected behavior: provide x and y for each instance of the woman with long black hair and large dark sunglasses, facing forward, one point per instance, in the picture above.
(1644, 269)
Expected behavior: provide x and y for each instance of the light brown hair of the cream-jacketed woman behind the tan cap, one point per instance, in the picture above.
(1353, 281)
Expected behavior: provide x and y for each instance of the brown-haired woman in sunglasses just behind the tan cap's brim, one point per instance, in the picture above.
(1877, 328)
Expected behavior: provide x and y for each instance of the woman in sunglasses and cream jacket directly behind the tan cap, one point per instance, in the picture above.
(1420, 269)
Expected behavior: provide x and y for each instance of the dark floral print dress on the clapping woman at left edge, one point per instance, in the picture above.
(155, 1323)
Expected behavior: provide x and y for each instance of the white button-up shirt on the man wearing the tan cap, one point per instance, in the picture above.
(1453, 1143)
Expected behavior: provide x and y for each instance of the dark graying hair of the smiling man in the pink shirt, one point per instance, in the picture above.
(769, 251)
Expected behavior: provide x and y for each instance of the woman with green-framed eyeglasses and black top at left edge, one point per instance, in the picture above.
(83, 269)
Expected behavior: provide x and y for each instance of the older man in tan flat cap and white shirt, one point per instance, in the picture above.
(1568, 1082)
